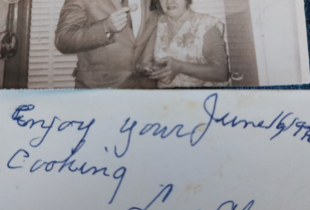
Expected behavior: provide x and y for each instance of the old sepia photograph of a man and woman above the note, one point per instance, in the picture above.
(152, 44)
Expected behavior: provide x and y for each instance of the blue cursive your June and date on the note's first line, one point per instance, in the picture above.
(281, 123)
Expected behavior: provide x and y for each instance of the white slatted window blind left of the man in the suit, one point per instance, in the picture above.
(48, 68)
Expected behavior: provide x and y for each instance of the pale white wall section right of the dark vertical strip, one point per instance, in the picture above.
(276, 41)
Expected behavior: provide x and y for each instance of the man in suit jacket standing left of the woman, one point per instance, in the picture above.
(111, 37)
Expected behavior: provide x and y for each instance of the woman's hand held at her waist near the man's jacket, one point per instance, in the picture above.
(169, 72)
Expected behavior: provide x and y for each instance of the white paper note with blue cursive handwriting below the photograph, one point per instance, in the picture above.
(141, 150)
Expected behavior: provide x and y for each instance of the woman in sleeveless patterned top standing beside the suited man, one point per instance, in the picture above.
(191, 47)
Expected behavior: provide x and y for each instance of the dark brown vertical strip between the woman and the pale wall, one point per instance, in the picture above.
(242, 56)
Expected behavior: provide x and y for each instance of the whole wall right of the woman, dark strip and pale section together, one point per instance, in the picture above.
(263, 39)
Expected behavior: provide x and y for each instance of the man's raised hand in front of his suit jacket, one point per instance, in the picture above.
(116, 21)
